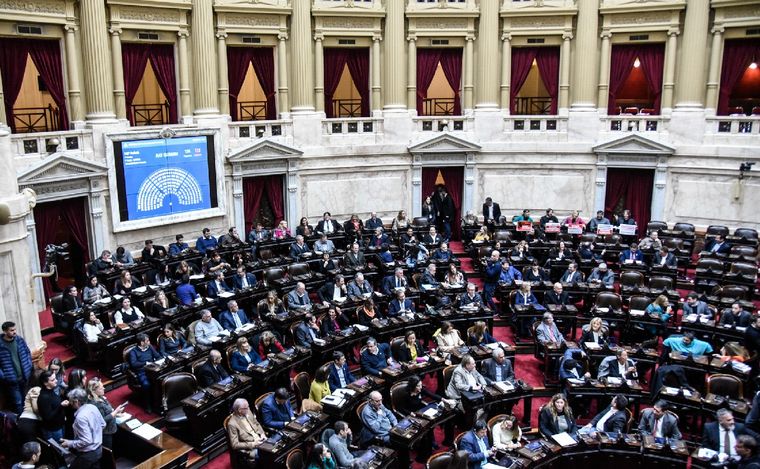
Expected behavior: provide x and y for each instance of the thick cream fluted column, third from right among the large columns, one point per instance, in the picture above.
(488, 50)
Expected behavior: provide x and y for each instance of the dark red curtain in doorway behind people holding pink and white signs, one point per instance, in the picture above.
(634, 186)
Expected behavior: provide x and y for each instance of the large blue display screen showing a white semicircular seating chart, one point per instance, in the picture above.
(160, 177)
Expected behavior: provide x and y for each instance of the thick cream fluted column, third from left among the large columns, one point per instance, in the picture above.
(302, 56)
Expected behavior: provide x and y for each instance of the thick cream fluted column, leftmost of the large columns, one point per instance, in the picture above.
(98, 78)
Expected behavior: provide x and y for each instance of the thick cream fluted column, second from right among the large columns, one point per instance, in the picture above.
(584, 66)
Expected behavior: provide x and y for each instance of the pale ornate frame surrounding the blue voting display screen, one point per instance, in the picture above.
(152, 222)
